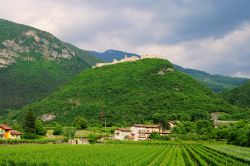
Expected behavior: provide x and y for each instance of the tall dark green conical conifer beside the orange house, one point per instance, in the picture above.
(29, 122)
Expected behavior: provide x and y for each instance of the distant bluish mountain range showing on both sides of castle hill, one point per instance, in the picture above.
(215, 82)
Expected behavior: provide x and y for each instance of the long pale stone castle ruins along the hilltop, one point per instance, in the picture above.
(127, 59)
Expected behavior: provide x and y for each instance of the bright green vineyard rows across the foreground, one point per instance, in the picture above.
(123, 154)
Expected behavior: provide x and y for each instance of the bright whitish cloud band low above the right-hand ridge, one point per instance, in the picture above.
(227, 55)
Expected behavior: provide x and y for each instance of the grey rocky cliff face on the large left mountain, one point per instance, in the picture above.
(33, 41)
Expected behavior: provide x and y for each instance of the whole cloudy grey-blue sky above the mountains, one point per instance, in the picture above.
(210, 35)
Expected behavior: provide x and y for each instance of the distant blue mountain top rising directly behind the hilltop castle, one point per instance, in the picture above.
(110, 55)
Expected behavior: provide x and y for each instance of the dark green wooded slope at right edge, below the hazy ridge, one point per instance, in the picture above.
(239, 96)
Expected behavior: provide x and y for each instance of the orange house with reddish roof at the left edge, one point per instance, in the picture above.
(6, 132)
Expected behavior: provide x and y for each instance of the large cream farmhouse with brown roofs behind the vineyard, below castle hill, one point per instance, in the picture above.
(139, 132)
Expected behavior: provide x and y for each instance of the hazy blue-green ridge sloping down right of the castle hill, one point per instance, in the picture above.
(215, 82)
